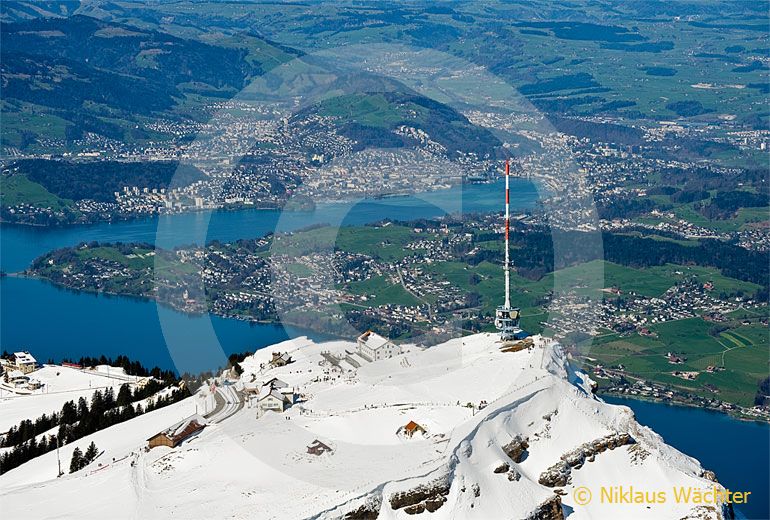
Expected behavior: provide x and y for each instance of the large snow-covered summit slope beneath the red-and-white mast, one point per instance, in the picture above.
(464, 466)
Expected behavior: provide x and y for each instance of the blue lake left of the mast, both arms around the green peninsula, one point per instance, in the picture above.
(53, 323)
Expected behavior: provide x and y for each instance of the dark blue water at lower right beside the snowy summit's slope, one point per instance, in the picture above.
(737, 451)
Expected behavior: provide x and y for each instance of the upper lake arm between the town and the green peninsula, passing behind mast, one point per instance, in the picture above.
(19, 245)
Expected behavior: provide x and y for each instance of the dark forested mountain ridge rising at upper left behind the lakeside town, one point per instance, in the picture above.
(82, 74)
